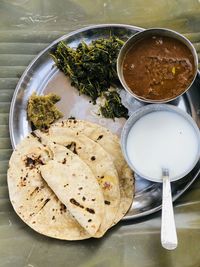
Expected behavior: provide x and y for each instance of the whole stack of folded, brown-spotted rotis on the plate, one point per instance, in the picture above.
(70, 182)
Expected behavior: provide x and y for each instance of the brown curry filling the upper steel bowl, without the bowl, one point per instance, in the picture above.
(158, 68)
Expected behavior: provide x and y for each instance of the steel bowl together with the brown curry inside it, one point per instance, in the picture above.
(157, 65)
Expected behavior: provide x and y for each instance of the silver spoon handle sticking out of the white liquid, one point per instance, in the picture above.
(168, 228)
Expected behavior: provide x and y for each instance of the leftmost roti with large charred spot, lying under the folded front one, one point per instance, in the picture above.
(31, 197)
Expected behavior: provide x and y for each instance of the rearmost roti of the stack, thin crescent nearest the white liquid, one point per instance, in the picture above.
(110, 142)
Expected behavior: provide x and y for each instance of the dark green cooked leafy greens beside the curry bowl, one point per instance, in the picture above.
(92, 70)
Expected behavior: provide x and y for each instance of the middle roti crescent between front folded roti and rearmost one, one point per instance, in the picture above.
(99, 162)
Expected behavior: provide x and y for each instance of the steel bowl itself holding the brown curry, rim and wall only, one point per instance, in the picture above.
(145, 34)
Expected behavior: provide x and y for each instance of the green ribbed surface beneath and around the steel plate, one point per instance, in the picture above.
(28, 26)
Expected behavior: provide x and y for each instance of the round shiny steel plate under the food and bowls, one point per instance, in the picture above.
(43, 77)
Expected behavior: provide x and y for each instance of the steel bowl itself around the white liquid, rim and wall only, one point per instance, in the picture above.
(144, 111)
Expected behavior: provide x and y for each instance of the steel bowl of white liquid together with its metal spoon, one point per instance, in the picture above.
(161, 143)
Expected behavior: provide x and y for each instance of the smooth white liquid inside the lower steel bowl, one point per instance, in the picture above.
(162, 139)
